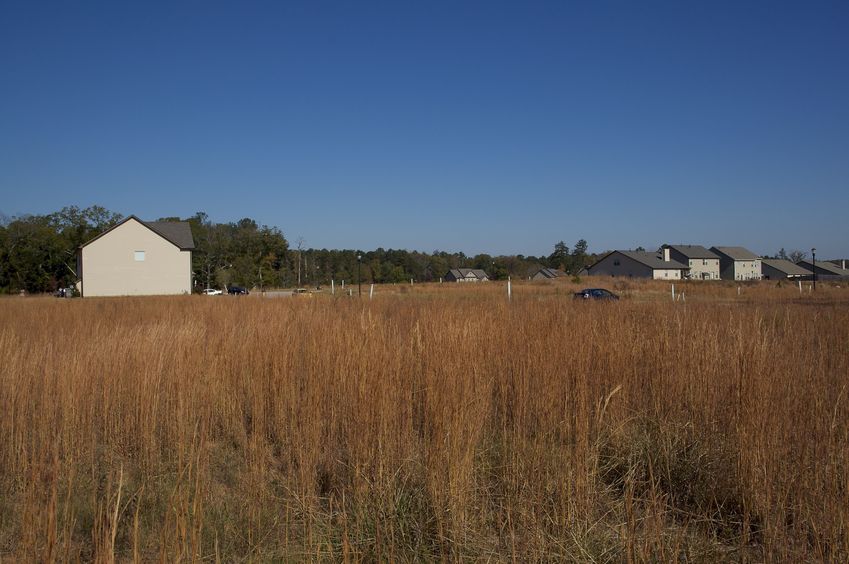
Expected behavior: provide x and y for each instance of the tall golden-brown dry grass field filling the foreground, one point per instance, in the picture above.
(431, 423)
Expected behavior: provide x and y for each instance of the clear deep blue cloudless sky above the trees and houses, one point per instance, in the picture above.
(473, 126)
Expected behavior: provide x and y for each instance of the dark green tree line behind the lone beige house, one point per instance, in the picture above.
(38, 253)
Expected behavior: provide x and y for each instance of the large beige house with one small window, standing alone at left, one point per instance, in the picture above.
(137, 258)
